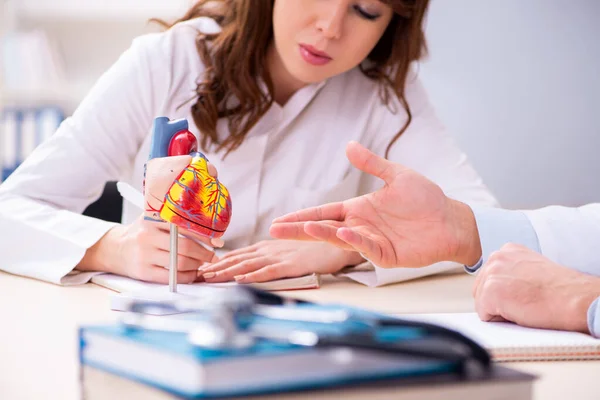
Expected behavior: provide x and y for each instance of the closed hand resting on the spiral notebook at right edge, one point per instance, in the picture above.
(519, 285)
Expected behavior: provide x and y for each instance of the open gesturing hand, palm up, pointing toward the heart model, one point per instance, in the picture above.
(407, 223)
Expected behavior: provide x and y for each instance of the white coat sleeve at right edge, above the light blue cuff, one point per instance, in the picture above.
(569, 236)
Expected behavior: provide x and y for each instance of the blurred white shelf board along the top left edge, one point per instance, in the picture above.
(100, 10)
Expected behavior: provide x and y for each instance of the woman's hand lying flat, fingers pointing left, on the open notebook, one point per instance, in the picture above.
(276, 259)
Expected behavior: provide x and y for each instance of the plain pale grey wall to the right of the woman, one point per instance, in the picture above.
(518, 84)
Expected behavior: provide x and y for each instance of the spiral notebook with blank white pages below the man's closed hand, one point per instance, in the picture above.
(510, 342)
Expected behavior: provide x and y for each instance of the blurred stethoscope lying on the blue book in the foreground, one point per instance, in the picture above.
(222, 324)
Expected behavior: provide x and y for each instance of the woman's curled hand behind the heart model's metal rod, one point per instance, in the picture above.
(141, 251)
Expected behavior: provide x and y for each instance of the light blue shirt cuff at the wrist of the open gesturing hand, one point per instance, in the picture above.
(498, 227)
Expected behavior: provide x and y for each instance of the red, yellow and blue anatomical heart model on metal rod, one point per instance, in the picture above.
(177, 185)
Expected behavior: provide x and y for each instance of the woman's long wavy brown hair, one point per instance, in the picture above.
(235, 64)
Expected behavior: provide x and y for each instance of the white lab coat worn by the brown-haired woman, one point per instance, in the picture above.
(293, 158)
